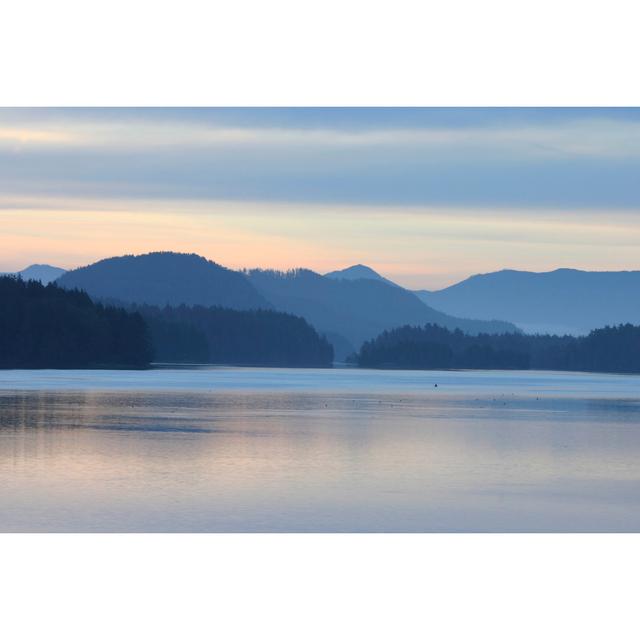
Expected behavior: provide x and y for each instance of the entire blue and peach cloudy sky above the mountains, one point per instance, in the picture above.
(427, 196)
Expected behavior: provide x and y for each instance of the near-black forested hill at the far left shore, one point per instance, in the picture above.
(49, 327)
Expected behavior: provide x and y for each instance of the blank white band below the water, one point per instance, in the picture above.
(319, 587)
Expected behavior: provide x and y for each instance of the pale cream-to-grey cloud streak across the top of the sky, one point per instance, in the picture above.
(594, 137)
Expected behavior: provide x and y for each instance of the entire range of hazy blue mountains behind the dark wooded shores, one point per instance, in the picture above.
(355, 304)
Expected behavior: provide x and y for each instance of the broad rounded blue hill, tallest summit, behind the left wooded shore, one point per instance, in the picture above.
(165, 278)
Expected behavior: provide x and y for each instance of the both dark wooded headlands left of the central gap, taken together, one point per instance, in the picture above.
(51, 327)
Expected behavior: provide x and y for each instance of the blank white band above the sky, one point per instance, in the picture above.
(312, 52)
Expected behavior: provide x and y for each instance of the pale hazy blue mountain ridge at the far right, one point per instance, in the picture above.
(563, 300)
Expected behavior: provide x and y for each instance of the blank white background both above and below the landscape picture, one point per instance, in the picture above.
(319, 53)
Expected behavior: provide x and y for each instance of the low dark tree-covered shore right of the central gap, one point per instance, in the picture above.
(611, 349)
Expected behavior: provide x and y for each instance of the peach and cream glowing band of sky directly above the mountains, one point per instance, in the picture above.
(415, 247)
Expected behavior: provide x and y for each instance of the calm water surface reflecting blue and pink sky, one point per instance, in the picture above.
(228, 449)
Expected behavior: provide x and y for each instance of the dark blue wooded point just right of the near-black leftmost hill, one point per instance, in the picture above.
(226, 336)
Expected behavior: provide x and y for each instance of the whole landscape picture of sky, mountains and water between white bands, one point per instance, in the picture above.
(319, 320)
